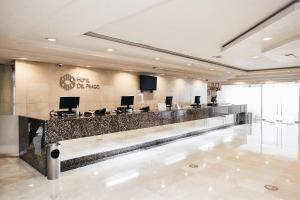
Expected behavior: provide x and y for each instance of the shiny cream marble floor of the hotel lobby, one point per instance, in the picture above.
(231, 163)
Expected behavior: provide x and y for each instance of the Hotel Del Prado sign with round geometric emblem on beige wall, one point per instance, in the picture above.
(69, 82)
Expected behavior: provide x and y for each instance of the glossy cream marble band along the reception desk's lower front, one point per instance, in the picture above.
(103, 143)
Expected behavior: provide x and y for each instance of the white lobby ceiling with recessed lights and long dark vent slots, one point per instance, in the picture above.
(192, 27)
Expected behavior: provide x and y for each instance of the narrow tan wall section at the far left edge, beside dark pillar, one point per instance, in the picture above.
(6, 90)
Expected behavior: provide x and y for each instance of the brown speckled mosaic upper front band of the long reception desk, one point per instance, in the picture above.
(58, 129)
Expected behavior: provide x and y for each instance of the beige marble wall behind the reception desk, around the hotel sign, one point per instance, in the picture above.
(38, 90)
